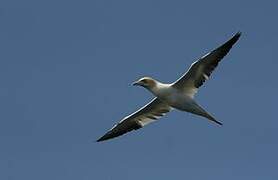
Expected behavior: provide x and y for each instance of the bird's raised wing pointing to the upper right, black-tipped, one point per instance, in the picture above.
(200, 70)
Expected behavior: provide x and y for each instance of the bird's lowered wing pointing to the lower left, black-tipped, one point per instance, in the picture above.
(147, 114)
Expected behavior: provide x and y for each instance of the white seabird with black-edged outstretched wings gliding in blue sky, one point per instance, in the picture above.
(177, 95)
